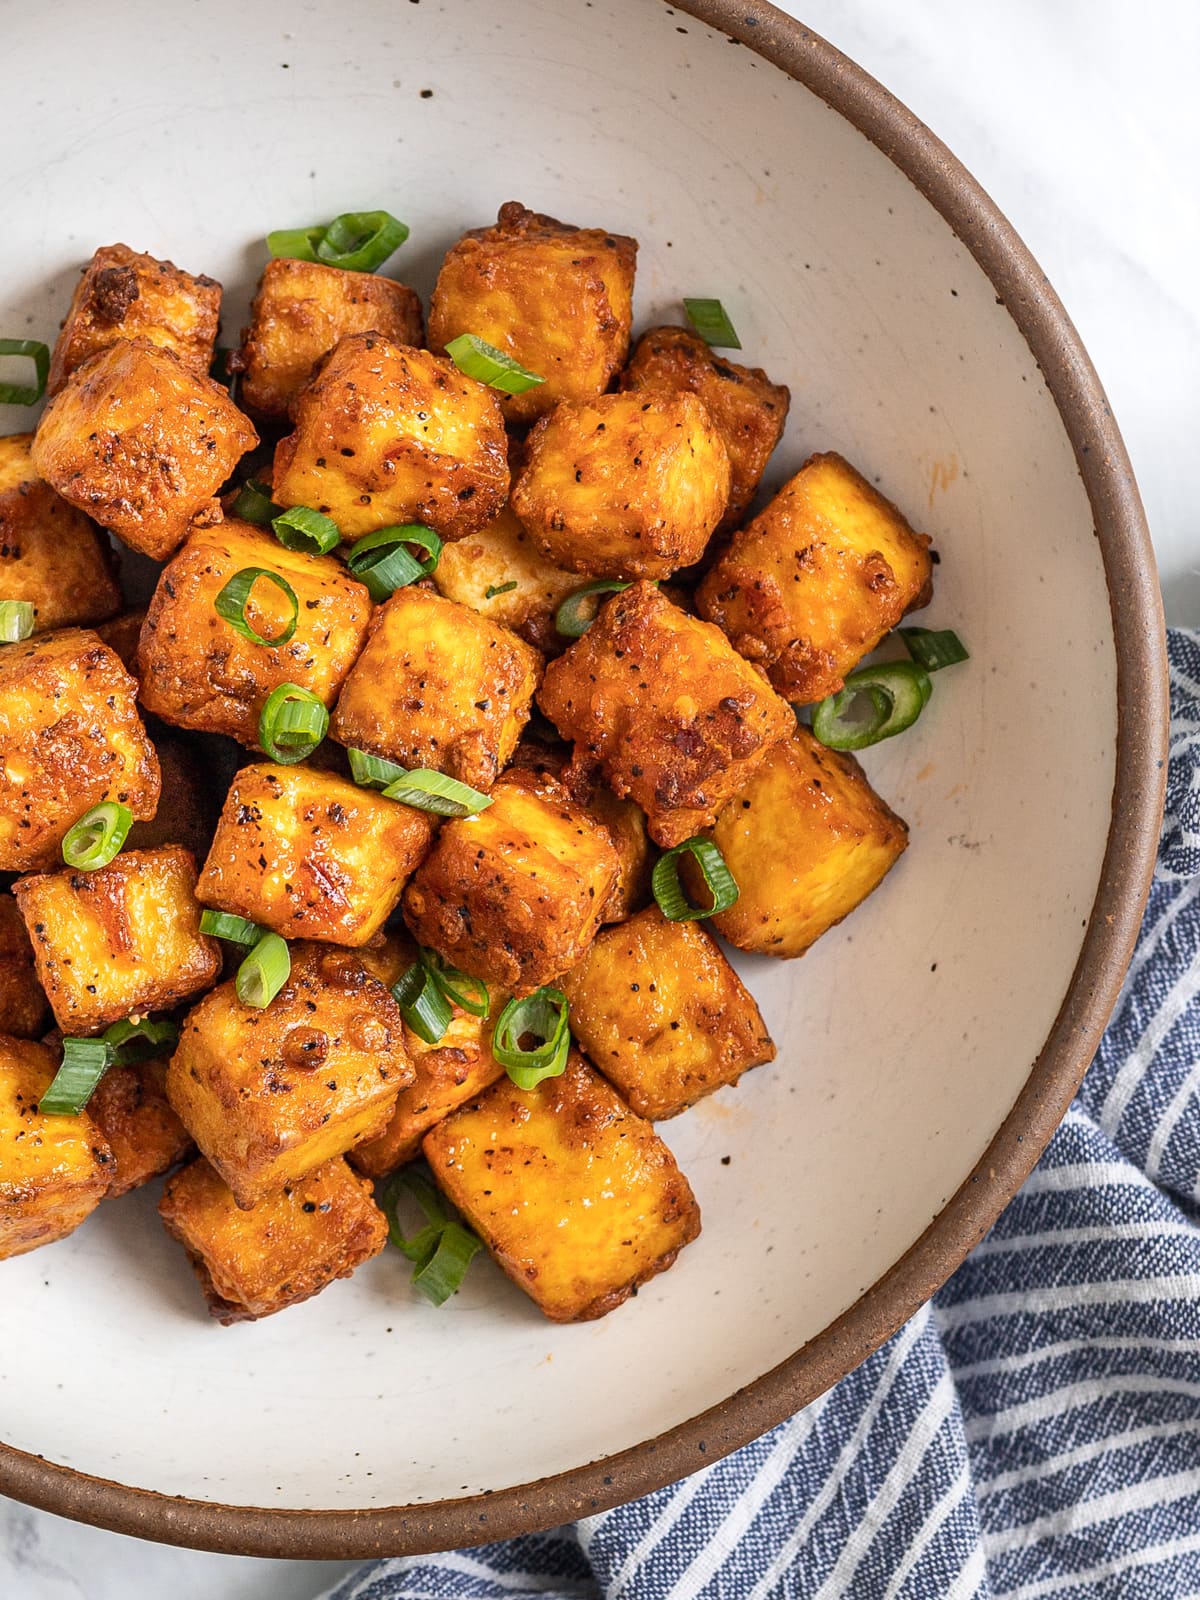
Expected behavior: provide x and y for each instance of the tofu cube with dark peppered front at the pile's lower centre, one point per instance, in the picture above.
(516, 894)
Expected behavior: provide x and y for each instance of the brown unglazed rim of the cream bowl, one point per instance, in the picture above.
(1108, 945)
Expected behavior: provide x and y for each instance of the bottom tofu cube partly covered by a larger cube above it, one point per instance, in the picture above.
(284, 1252)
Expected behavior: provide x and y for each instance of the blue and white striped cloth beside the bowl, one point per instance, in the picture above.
(1036, 1431)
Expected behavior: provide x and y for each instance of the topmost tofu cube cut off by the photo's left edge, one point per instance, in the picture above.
(50, 554)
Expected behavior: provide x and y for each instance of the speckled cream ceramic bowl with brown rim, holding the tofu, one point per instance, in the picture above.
(927, 1047)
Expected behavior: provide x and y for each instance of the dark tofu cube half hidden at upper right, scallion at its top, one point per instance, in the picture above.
(748, 410)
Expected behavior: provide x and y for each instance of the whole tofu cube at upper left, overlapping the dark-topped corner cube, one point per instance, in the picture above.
(142, 444)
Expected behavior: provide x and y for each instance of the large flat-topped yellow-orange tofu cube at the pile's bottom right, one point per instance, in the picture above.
(575, 1196)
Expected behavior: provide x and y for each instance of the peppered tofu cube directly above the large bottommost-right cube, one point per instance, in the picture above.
(663, 1015)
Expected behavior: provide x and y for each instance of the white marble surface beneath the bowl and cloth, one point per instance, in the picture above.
(1079, 118)
